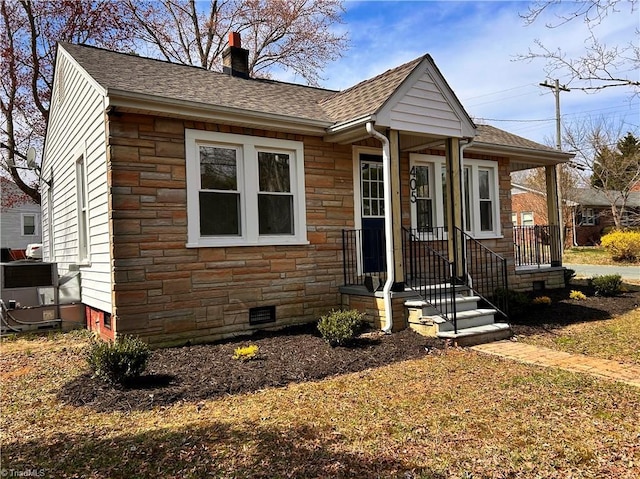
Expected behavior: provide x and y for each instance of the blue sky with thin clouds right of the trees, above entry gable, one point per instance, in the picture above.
(474, 45)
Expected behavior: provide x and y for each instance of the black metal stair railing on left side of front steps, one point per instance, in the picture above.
(430, 273)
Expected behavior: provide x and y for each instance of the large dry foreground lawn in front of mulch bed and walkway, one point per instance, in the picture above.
(452, 415)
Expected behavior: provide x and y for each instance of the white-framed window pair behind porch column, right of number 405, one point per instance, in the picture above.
(430, 202)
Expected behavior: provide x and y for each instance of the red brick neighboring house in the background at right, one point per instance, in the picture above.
(593, 213)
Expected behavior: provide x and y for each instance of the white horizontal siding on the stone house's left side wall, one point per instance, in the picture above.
(77, 128)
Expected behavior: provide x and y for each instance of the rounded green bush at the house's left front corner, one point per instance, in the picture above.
(118, 361)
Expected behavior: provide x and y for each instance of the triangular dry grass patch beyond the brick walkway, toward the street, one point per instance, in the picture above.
(617, 338)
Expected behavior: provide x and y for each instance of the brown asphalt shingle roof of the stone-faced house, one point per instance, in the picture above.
(164, 80)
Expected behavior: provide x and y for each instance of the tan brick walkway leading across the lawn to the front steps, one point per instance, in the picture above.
(579, 363)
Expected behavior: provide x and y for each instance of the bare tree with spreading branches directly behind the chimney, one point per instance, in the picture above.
(296, 35)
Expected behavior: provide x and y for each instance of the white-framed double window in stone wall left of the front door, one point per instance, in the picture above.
(244, 190)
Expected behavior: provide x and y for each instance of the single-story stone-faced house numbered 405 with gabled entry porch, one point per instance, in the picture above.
(200, 205)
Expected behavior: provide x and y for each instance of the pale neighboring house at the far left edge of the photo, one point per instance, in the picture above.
(20, 224)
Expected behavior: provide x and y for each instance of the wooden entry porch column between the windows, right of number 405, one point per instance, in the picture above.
(454, 204)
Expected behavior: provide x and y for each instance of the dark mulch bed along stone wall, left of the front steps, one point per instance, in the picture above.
(196, 373)
